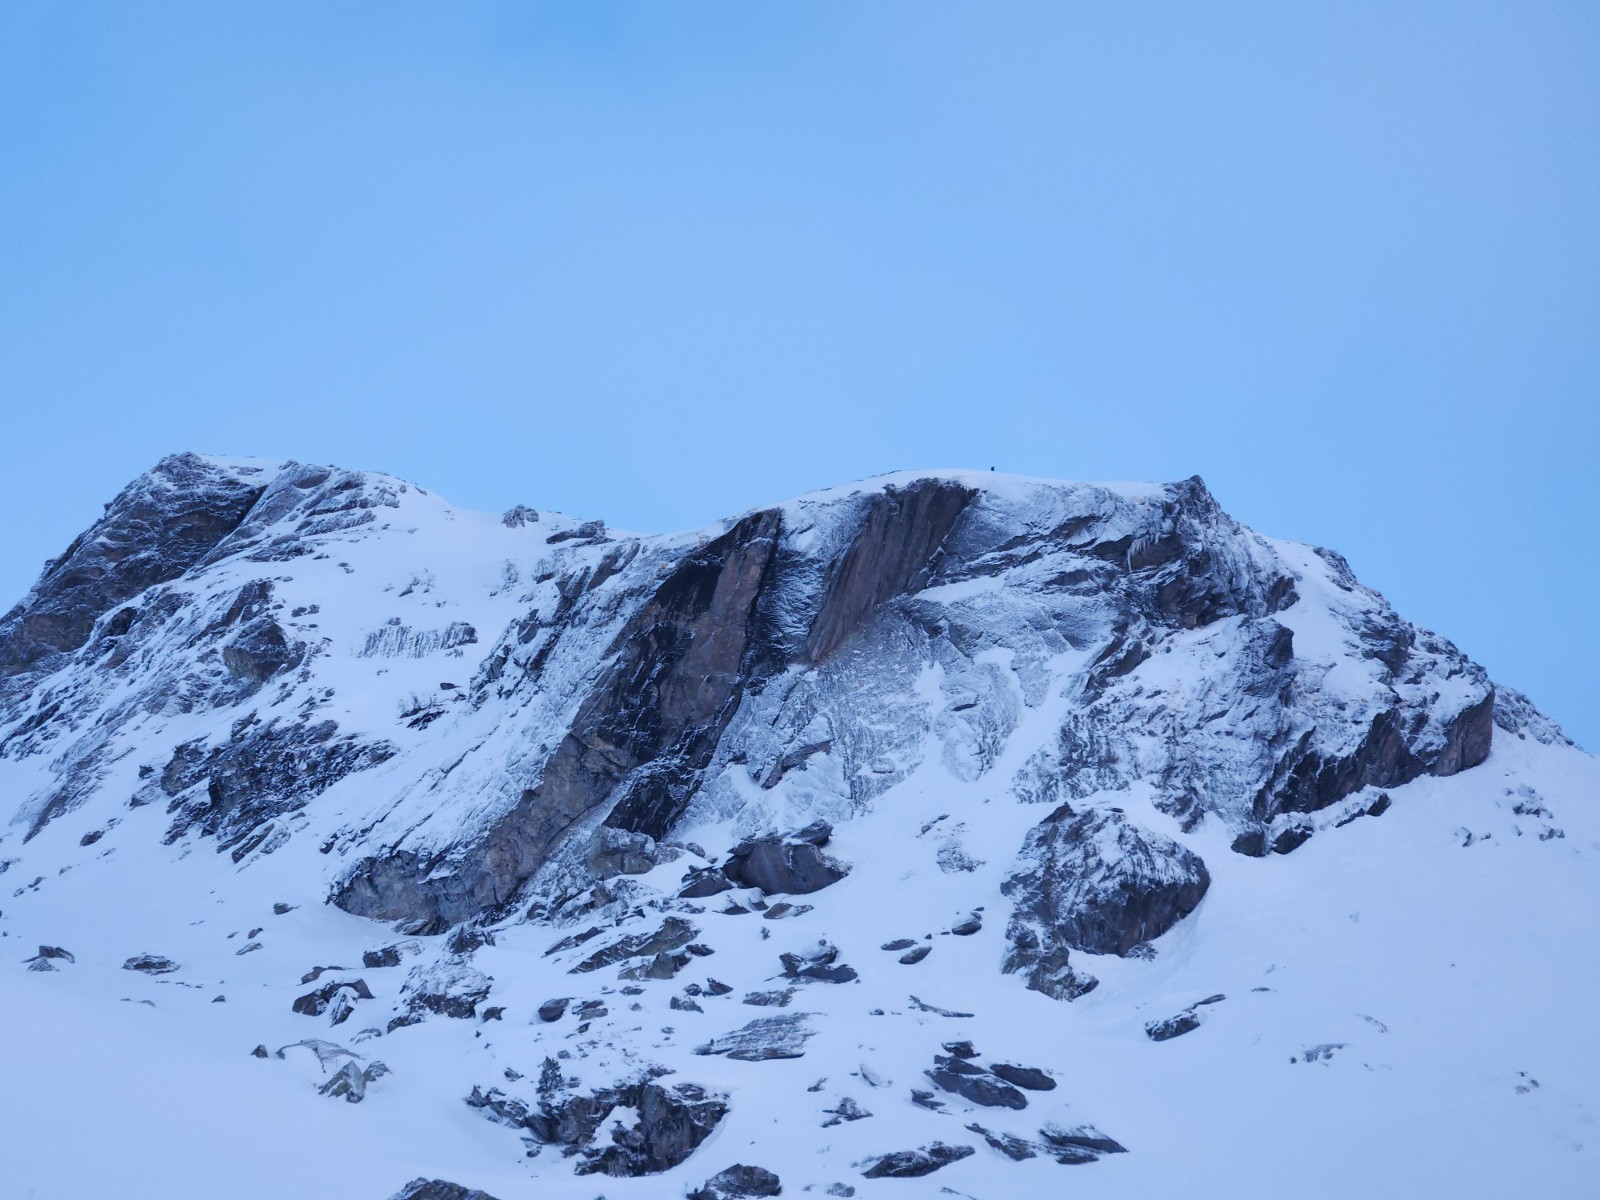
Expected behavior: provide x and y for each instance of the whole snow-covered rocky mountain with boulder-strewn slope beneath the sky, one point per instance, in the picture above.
(1078, 826)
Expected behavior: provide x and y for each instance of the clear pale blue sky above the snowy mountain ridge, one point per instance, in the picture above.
(666, 262)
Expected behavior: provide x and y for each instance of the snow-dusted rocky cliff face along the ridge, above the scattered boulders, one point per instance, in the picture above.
(820, 650)
